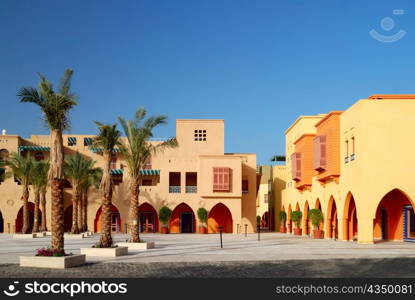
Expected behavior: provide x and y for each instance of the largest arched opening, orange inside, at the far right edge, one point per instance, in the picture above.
(395, 218)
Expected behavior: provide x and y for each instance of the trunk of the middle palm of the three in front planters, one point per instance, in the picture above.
(106, 188)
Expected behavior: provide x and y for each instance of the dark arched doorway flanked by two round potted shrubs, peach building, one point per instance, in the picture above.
(182, 219)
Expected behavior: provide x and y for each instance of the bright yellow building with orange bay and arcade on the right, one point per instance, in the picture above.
(357, 167)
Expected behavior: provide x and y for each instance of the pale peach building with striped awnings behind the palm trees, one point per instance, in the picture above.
(196, 174)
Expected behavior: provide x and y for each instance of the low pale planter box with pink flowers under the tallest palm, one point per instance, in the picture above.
(52, 262)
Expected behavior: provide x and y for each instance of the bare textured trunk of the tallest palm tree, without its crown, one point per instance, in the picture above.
(56, 177)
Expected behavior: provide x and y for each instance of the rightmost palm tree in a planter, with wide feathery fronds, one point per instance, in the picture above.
(136, 154)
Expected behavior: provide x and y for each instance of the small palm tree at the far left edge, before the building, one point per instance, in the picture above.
(21, 167)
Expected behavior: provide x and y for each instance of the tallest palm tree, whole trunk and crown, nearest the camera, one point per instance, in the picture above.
(55, 107)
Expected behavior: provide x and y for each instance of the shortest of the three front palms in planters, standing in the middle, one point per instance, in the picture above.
(108, 139)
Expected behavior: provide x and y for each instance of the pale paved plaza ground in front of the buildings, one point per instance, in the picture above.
(192, 255)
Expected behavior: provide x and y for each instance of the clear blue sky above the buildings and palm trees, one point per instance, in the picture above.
(256, 64)
